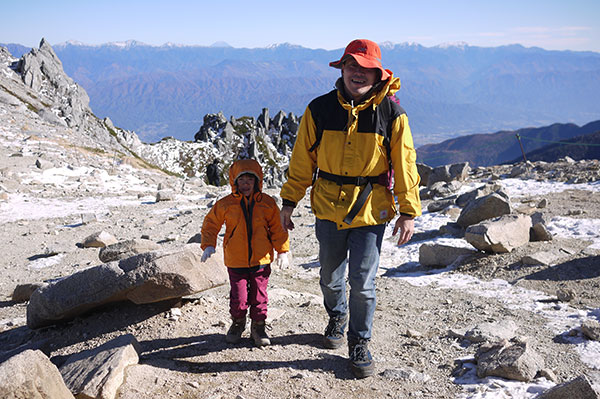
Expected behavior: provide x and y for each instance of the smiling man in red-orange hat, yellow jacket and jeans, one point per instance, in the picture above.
(350, 139)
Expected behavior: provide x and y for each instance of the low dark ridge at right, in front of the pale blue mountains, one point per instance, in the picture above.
(548, 143)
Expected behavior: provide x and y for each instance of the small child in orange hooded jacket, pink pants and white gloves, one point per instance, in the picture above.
(252, 230)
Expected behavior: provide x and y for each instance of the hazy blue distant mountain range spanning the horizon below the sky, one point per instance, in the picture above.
(448, 91)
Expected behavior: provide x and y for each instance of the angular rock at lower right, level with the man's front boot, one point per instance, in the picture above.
(513, 360)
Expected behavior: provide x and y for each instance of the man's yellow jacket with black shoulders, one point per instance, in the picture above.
(352, 145)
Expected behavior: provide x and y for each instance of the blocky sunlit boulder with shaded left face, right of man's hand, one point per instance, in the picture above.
(500, 235)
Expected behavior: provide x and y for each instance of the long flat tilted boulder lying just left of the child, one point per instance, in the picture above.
(145, 278)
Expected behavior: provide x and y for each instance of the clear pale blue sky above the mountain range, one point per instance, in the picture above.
(550, 24)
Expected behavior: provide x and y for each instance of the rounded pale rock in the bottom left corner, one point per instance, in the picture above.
(30, 374)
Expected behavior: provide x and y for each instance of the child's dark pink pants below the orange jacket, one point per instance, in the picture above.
(249, 290)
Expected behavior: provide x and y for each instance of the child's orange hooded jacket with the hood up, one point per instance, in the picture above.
(246, 244)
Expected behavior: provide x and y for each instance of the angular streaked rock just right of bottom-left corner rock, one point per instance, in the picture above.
(99, 372)
